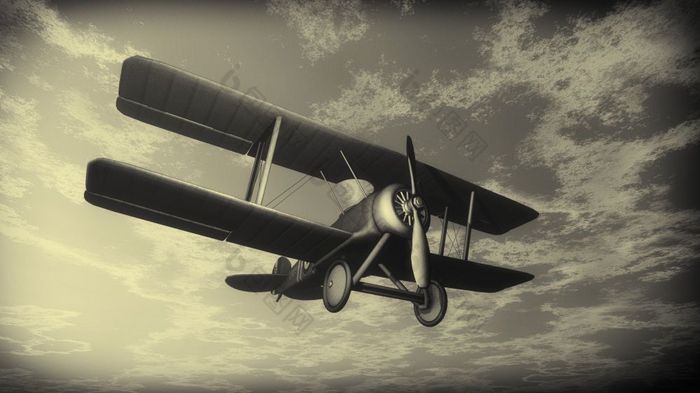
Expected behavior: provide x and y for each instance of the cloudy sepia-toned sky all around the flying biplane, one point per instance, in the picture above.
(588, 114)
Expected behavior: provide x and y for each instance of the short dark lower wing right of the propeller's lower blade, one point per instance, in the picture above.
(473, 276)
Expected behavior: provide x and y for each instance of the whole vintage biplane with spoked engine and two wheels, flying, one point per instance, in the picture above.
(384, 235)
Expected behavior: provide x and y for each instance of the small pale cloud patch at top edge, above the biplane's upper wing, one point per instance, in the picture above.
(323, 26)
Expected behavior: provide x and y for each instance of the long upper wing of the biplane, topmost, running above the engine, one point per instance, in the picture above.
(190, 105)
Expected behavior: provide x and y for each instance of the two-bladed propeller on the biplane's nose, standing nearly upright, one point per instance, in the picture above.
(419, 242)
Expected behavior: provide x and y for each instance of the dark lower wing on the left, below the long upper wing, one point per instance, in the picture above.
(144, 194)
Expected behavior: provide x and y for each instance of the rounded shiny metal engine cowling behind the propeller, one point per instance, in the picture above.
(392, 213)
